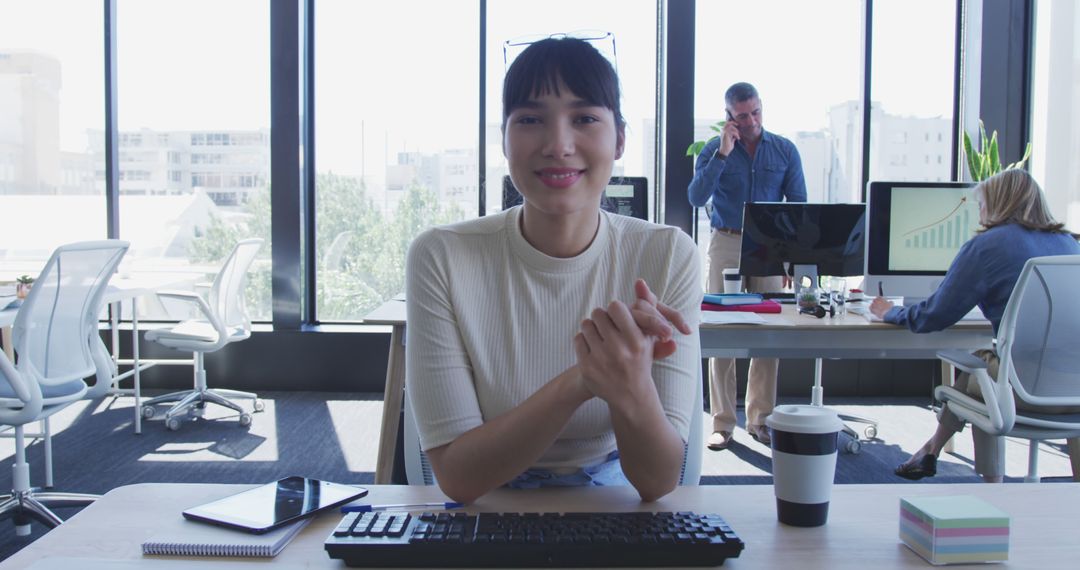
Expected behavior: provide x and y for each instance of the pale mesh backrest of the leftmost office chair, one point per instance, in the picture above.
(59, 320)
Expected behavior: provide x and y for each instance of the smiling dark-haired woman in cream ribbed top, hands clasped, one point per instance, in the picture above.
(535, 356)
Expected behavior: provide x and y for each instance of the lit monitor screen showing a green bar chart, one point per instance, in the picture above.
(928, 226)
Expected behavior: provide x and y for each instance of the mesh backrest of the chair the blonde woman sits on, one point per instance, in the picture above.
(1039, 336)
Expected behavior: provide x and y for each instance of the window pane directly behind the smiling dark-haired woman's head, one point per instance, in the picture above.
(632, 46)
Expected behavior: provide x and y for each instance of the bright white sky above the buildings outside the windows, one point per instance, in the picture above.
(204, 64)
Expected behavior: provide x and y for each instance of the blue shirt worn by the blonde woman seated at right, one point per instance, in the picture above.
(984, 274)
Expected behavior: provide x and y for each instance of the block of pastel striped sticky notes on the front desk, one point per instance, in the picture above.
(954, 530)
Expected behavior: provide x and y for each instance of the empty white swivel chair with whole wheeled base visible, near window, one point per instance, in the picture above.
(225, 321)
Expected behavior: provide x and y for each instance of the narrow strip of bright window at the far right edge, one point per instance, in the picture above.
(1056, 106)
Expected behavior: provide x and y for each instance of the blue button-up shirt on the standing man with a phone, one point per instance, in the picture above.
(774, 174)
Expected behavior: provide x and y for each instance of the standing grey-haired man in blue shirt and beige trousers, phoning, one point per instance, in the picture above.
(746, 164)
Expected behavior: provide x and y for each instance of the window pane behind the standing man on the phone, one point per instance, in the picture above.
(811, 89)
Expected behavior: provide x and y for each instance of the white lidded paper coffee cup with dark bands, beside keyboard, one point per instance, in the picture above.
(804, 463)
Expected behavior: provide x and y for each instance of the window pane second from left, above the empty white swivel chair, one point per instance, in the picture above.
(194, 82)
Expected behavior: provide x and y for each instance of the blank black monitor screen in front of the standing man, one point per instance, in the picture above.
(828, 236)
